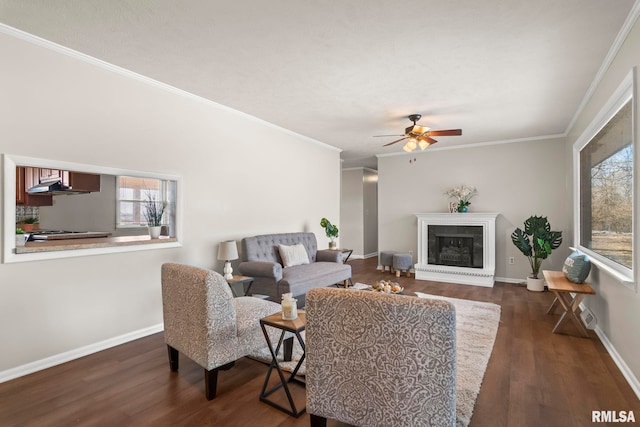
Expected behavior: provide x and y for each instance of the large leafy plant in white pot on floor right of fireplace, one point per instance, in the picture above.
(536, 242)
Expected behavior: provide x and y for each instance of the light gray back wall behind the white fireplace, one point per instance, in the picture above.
(516, 180)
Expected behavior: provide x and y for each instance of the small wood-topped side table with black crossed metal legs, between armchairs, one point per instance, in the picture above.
(296, 327)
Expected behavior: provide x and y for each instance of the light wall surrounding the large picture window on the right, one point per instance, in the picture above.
(616, 307)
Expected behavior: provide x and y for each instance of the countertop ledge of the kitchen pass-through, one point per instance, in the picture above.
(96, 242)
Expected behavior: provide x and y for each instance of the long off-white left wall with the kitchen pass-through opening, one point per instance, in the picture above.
(241, 176)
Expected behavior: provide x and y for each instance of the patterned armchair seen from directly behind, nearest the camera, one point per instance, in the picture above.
(380, 359)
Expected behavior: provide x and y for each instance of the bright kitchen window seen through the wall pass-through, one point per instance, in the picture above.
(134, 192)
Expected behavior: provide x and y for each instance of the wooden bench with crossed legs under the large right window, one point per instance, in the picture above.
(563, 288)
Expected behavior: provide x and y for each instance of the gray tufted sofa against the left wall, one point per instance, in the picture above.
(261, 260)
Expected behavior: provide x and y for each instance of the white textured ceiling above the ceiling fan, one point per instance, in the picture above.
(343, 71)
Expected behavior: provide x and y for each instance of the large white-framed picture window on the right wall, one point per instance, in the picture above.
(605, 157)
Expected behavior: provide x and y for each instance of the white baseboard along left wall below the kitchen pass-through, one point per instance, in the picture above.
(77, 353)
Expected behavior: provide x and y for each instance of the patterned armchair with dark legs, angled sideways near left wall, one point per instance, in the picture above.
(204, 322)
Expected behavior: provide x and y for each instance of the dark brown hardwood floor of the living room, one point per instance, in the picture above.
(534, 378)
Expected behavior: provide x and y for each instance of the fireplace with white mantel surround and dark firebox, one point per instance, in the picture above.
(456, 248)
